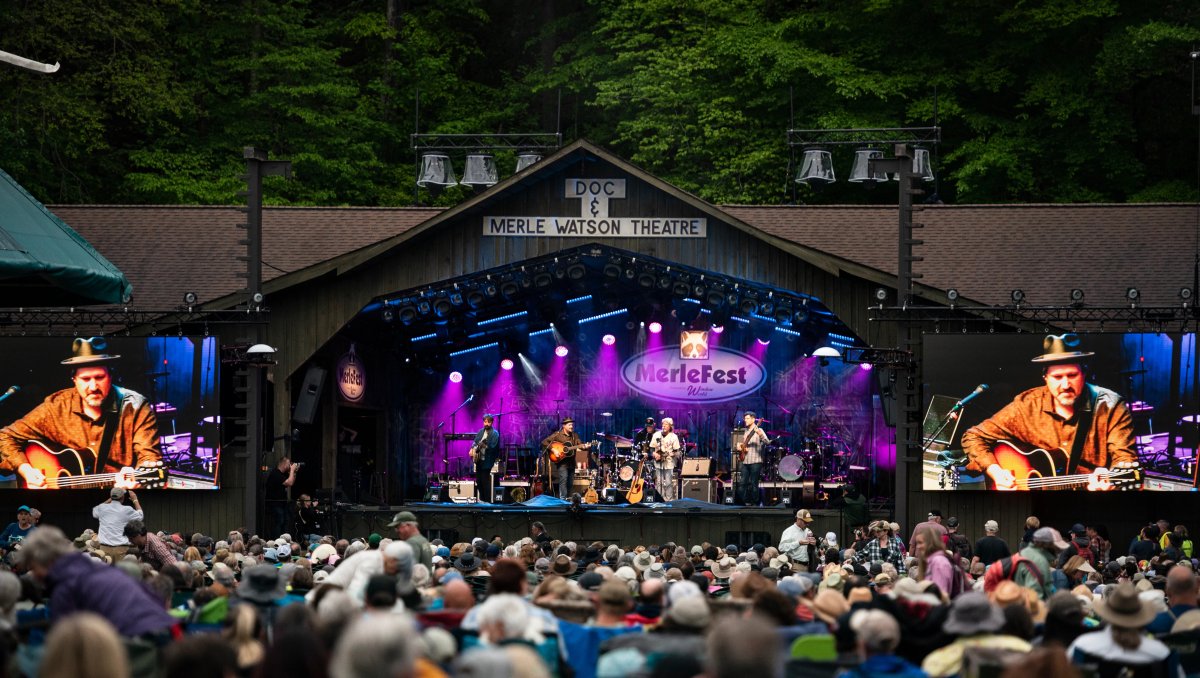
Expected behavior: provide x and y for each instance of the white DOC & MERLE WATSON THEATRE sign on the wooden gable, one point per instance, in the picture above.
(593, 220)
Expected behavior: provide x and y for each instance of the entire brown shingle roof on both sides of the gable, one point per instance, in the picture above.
(985, 251)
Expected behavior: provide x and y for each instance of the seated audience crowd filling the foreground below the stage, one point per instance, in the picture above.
(127, 601)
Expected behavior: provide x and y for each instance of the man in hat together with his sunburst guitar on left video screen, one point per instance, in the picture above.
(92, 435)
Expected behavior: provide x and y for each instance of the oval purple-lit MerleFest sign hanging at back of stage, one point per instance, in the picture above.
(665, 375)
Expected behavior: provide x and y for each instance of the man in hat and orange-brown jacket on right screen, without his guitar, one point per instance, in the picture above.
(1052, 417)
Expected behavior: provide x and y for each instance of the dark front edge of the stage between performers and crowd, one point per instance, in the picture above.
(685, 521)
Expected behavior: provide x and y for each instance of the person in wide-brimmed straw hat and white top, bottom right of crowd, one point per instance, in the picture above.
(1124, 641)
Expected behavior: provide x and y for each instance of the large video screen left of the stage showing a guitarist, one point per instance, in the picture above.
(103, 412)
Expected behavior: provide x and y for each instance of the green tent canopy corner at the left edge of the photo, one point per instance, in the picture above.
(44, 262)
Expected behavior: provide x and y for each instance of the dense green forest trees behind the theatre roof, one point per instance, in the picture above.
(1040, 101)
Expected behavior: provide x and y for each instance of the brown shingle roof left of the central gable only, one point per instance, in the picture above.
(167, 251)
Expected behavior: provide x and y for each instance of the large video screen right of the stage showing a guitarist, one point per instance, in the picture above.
(1030, 412)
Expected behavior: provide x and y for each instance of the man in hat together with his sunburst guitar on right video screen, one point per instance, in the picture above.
(1063, 434)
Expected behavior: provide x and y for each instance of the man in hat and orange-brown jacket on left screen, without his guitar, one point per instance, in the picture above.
(79, 418)
